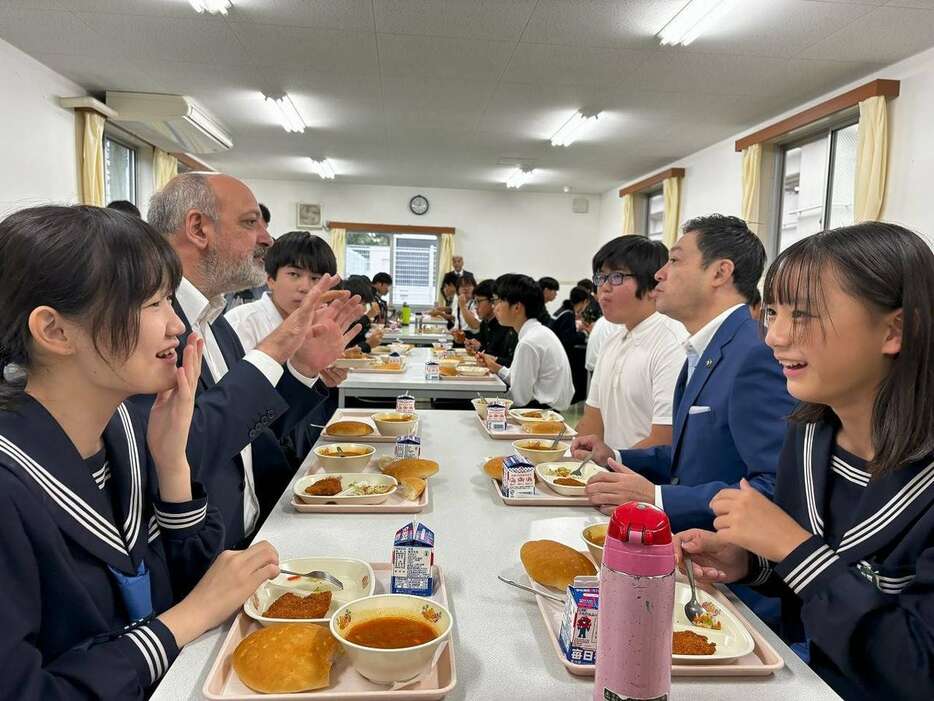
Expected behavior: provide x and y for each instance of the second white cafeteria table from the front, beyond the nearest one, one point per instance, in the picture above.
(412, 380)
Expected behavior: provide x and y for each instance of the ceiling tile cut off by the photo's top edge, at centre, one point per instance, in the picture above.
(477, 19)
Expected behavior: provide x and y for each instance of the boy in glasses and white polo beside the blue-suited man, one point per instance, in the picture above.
(629, 402)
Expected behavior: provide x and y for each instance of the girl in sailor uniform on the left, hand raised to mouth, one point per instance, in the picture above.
(104, 535)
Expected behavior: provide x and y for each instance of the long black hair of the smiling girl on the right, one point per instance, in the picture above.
(887, 267)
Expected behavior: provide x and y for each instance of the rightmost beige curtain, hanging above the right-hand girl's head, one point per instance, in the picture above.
(871, 158)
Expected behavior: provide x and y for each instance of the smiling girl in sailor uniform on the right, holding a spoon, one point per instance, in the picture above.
(849, 540)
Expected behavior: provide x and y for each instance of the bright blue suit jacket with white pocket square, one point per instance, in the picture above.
(729, 423)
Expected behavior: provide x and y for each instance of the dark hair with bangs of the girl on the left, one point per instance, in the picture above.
(91, 264)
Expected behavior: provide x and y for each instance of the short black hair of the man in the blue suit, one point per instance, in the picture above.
(723, 237)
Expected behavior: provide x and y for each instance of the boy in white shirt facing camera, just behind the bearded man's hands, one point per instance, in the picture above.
(294, 264)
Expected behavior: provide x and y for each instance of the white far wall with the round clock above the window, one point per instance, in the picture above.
(497, 232)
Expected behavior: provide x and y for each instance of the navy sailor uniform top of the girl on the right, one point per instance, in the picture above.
(865, 602)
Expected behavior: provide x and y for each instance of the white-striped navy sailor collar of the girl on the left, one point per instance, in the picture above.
(37, 450)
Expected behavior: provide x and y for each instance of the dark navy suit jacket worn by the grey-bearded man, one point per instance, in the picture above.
(240, 410)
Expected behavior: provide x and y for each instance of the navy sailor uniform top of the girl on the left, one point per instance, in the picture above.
(64, 631)
